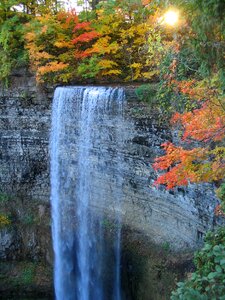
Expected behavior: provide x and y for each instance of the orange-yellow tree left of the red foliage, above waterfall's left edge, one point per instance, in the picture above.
(50, 47)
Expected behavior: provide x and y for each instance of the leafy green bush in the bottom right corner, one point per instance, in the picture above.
(208, 281)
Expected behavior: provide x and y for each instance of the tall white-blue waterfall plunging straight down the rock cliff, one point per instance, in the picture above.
(86, 151)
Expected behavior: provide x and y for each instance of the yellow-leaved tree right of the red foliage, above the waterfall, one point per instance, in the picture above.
(121, 50)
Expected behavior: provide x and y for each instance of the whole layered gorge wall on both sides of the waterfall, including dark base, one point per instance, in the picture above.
(156, 222)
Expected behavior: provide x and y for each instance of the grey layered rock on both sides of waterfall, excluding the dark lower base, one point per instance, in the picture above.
(179, 218)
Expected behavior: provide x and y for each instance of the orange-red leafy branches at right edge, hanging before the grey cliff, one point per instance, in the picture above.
(204, 125)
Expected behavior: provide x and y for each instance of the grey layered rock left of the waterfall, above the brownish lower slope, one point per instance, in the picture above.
(25, 122)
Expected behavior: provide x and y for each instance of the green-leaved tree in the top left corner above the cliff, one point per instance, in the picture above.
(14, 14)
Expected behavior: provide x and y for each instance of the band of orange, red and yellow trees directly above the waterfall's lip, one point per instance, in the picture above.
(113, 44)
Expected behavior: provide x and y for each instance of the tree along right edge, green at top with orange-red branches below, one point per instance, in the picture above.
(199, 156)
